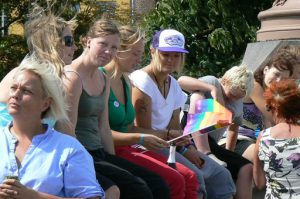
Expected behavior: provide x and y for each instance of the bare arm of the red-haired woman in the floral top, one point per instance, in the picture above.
(258, 172)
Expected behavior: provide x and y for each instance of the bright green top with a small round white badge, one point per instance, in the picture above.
(120, 115)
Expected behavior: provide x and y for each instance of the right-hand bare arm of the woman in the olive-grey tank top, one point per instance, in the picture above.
(106, 134)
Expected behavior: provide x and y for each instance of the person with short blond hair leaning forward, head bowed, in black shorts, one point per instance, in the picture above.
(236, 83)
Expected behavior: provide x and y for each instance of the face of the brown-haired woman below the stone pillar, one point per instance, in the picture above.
(272, 74)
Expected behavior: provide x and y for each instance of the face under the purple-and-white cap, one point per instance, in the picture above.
(169, 61)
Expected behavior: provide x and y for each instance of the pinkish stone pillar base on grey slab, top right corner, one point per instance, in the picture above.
(280, 25)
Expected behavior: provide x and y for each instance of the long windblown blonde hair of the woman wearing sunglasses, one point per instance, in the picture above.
(43, 31)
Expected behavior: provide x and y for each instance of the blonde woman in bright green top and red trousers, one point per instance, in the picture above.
(130, 139)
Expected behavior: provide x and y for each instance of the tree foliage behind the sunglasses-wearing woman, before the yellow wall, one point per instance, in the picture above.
(13, 48)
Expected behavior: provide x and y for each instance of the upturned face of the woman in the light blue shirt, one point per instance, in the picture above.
(26, 97)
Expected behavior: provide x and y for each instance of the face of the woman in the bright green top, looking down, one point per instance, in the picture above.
(131, 57)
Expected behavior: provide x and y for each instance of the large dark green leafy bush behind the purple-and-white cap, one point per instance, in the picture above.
(216, 31)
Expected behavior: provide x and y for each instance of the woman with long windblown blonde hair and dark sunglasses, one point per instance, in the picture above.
(50, 39)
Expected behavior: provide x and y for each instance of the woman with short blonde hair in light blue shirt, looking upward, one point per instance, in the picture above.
(37, 161)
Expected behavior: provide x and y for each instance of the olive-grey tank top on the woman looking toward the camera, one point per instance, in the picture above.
(87, 127)
